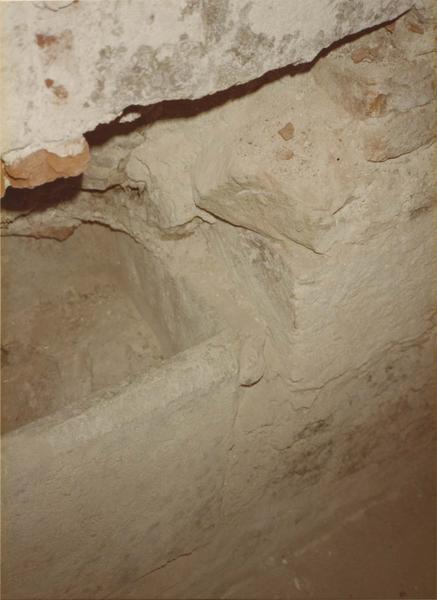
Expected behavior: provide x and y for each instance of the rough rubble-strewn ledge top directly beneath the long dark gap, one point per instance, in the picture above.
(295, 170)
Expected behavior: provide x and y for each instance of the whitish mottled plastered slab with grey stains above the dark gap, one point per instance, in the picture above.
(69, 66)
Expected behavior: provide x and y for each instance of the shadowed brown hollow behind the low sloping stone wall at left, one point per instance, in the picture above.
(86, 315)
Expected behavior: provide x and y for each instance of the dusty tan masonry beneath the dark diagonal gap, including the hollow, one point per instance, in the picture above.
(234, 446)
